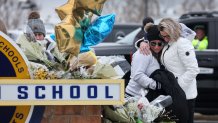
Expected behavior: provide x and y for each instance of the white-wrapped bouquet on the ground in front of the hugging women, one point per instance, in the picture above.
(143, 111)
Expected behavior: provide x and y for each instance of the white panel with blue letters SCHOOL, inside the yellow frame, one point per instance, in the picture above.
(60, 92)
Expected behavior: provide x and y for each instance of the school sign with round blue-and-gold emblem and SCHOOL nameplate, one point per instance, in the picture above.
(18, 93)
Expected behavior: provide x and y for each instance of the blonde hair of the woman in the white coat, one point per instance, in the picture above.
(170, 26)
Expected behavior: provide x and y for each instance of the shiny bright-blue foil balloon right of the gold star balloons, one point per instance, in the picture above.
(97, 31)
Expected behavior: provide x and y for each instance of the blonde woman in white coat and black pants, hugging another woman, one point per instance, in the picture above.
(178, 57)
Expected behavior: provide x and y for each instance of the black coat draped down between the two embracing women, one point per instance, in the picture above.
(170, 86)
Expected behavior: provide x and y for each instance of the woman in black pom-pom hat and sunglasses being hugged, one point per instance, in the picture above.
(143, 66)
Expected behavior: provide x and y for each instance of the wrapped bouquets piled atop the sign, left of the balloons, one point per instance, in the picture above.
(42, 66)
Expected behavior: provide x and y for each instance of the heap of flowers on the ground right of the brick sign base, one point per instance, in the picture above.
(140, 110)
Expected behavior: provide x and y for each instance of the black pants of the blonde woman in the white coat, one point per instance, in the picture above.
(191, 110)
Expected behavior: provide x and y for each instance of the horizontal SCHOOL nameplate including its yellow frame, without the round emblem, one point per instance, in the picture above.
(61, 92)
